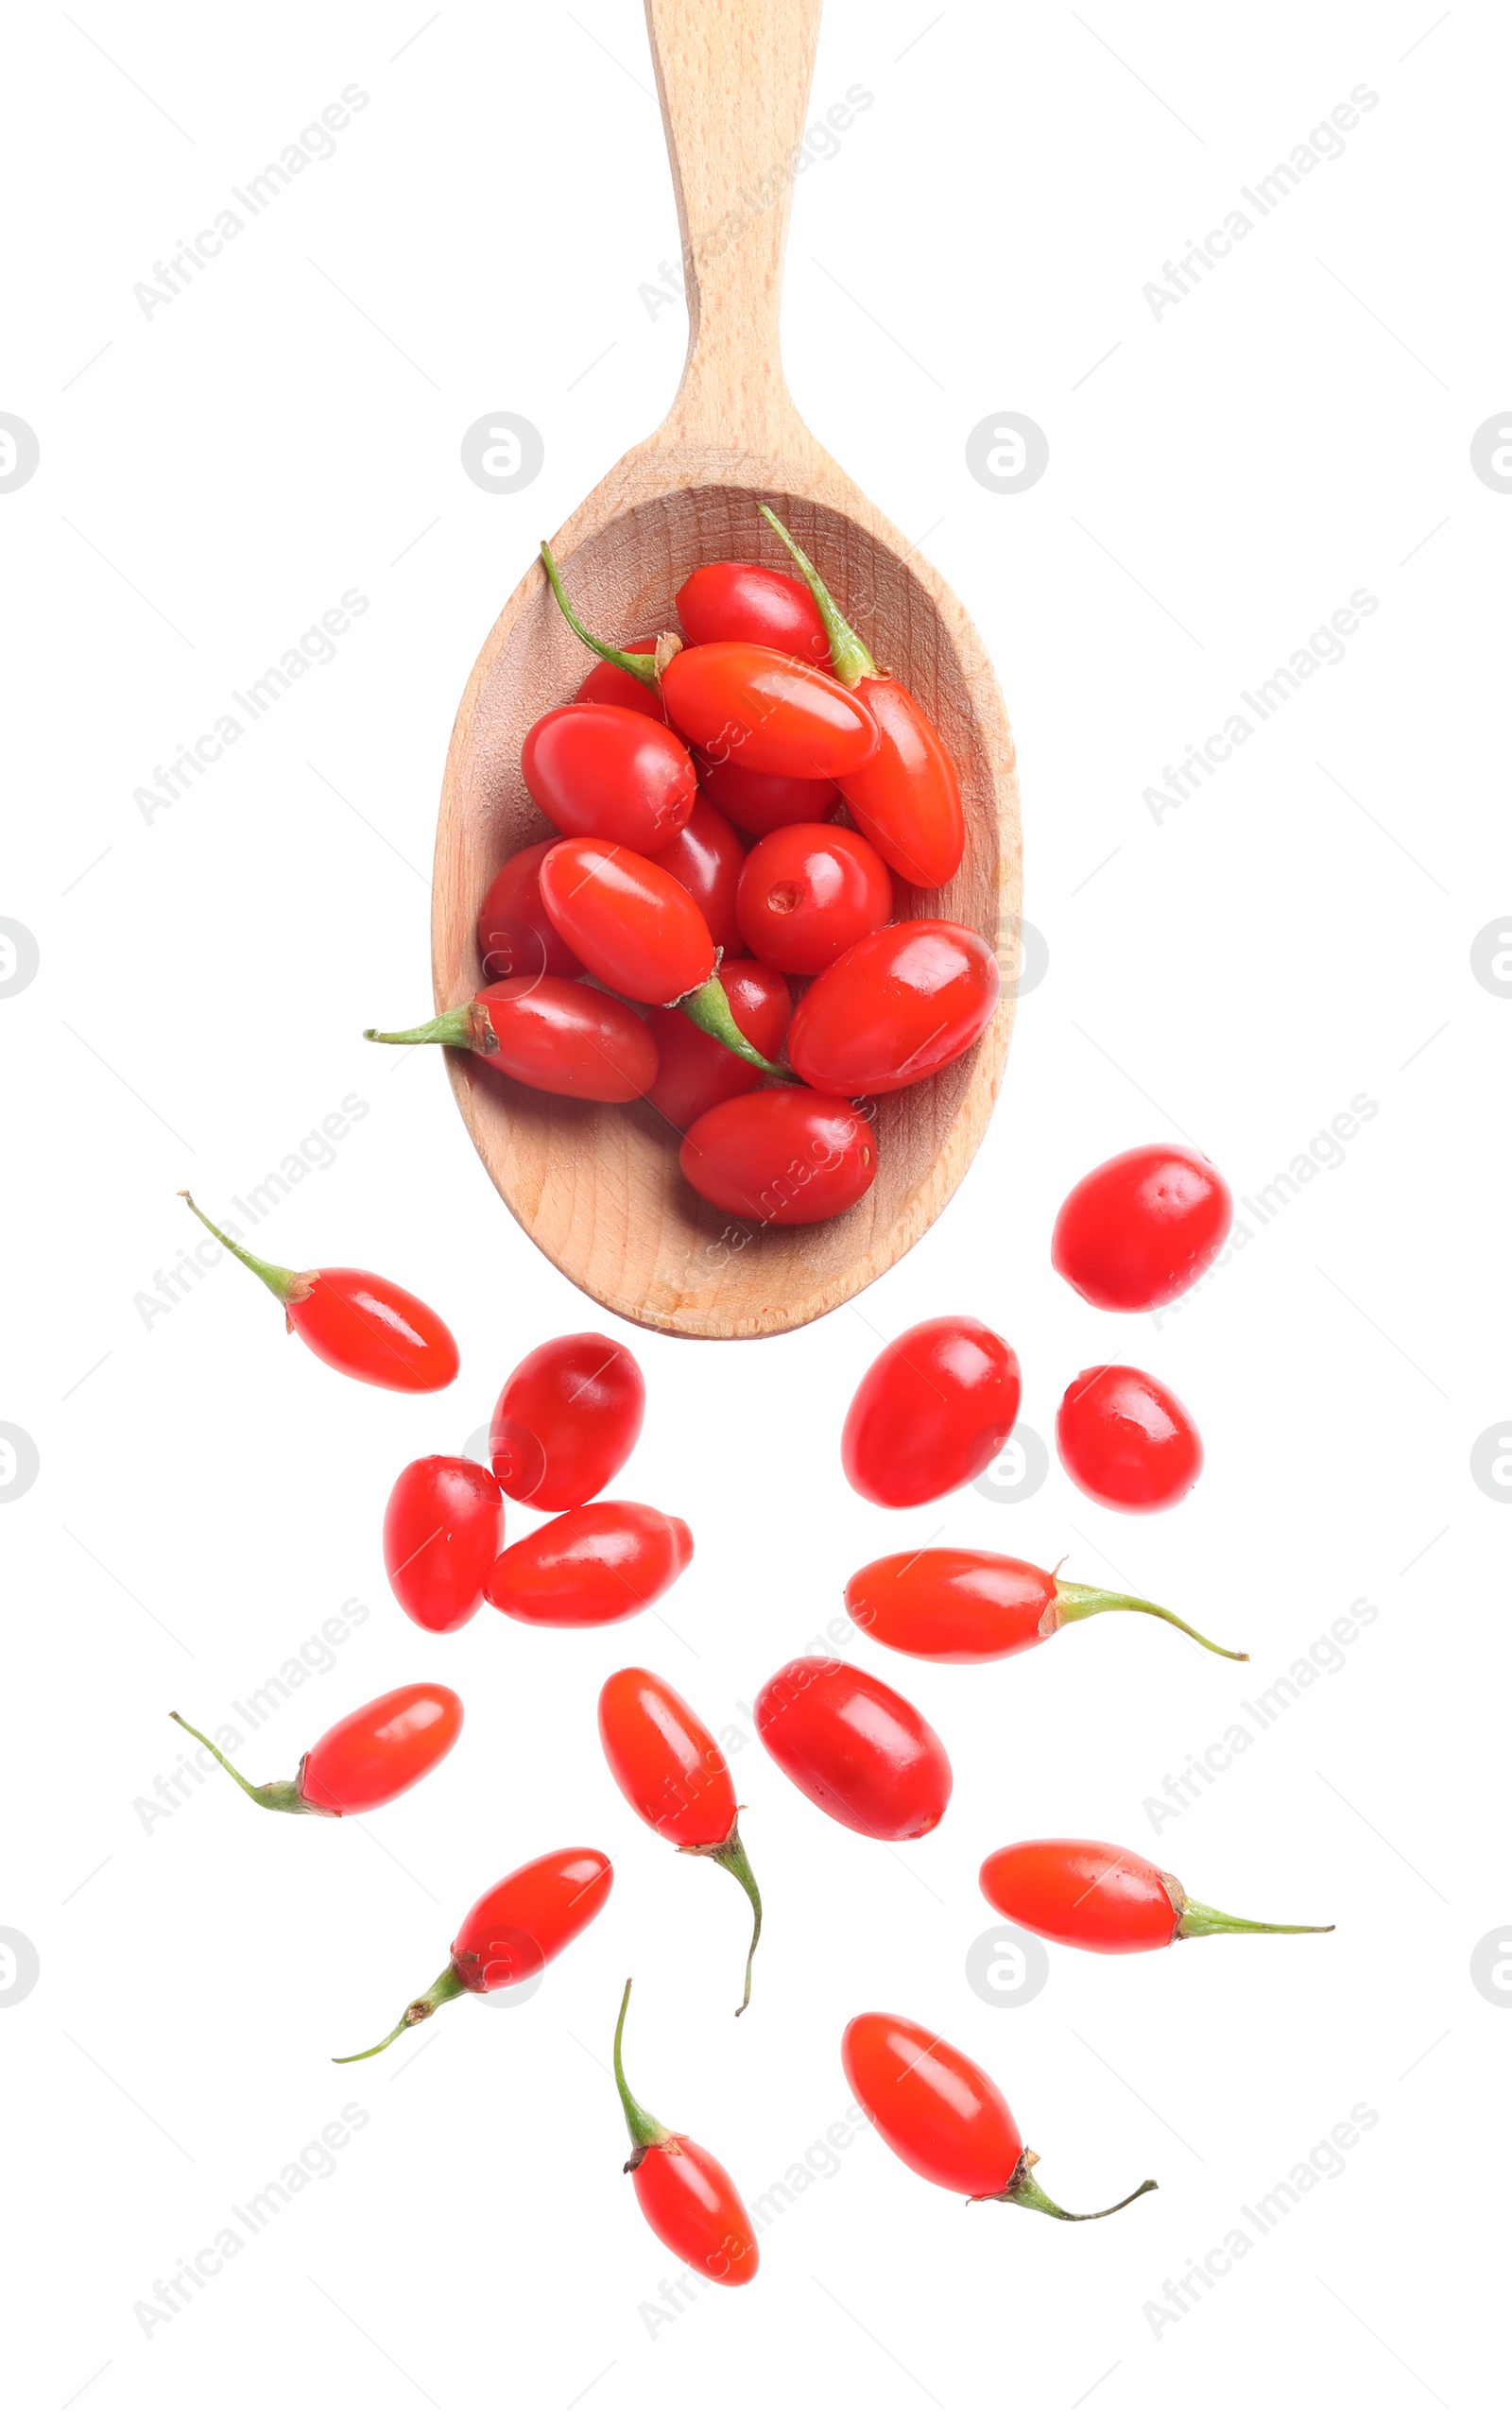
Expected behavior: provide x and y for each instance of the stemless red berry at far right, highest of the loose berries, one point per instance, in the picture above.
(1140, 1229)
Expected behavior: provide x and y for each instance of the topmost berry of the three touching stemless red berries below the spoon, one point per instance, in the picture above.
(566, 1421)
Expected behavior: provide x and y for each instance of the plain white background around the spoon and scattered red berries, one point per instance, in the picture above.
(1300, 934)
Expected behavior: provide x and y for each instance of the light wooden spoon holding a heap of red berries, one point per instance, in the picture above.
(600, 1188)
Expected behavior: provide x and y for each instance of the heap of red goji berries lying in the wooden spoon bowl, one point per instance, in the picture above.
(651, 951)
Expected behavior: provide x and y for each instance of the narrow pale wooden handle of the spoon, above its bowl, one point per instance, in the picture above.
(735, 84)
